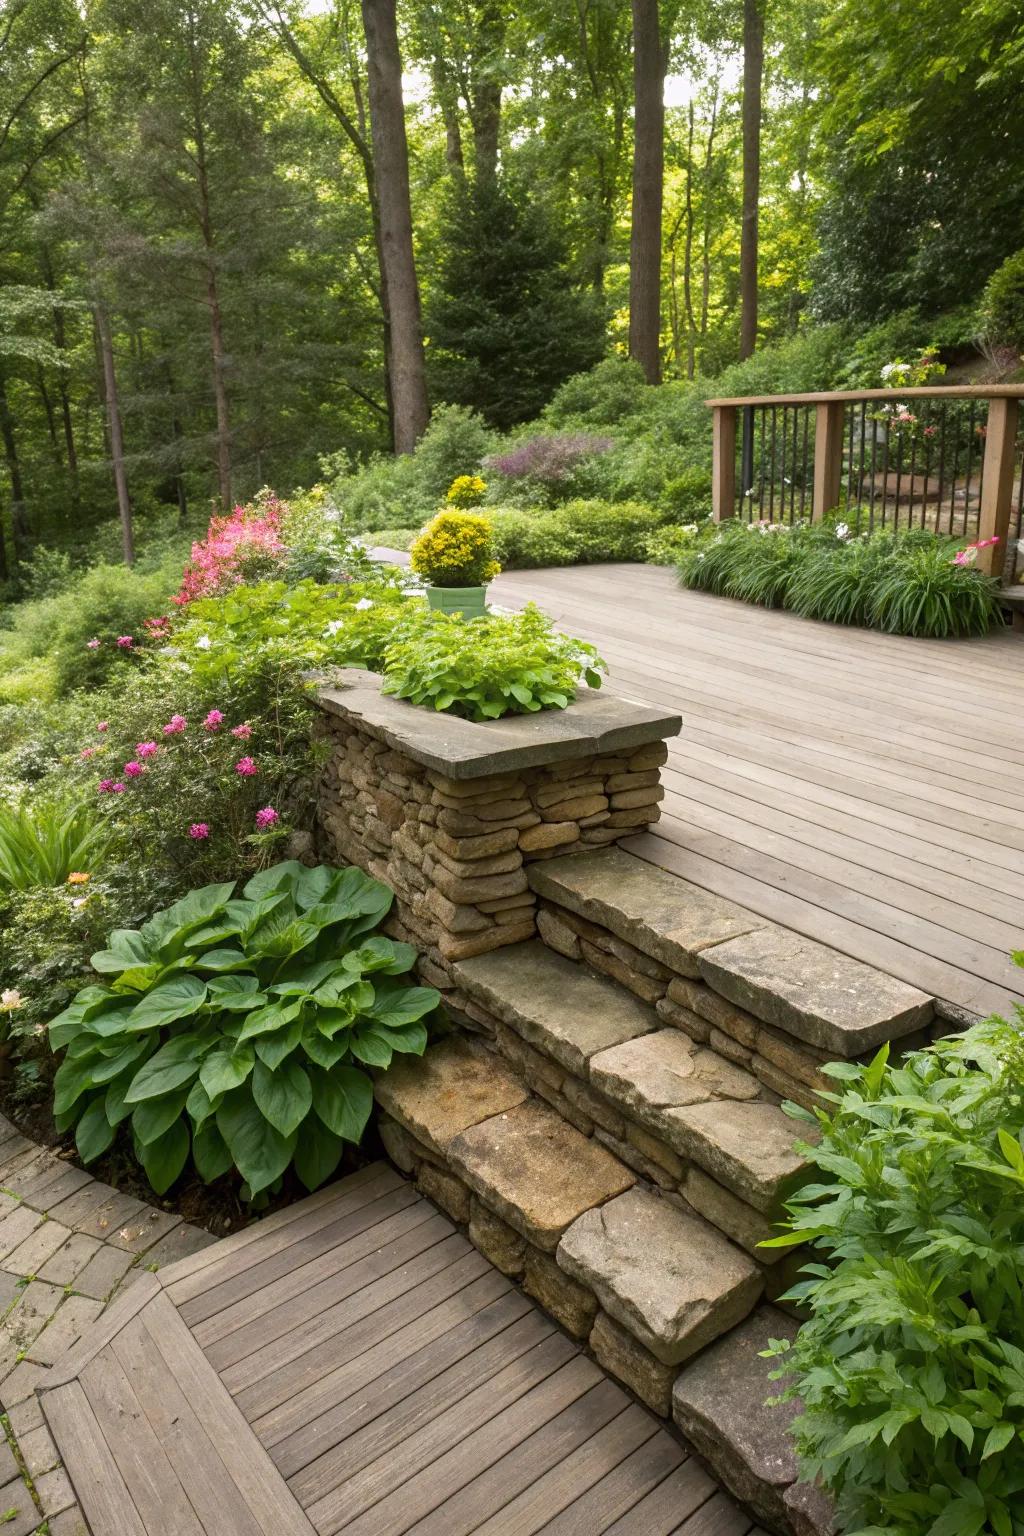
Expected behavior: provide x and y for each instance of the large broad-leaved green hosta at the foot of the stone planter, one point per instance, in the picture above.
(240, 1030)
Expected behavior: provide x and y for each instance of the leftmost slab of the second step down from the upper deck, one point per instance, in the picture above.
(553, 1004)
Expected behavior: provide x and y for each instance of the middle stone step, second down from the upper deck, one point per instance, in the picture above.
(656, 1078)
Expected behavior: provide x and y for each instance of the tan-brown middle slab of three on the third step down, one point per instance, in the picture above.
(537, 1171)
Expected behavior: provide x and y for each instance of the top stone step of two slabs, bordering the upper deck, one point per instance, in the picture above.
(811, 993)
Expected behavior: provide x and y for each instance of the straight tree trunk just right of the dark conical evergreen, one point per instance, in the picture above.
(649, 174)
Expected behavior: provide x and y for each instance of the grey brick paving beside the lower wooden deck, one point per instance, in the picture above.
(68, 1246)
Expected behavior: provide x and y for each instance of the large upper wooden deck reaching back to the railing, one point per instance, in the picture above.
(862, 789)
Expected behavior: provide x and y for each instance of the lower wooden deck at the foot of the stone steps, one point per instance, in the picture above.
(354, 1365)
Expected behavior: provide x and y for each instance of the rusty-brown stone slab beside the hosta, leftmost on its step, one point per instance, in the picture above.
(446, 1091)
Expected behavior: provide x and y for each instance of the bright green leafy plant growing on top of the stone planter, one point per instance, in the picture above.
(484, 669)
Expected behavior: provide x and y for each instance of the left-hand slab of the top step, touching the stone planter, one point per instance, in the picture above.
(659, 913)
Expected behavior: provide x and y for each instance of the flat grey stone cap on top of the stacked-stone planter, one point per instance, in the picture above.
(596, 724)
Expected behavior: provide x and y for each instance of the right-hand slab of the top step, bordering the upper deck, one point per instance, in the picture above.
(814, 993)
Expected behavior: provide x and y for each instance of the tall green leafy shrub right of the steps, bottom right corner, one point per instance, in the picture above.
(911, 1368)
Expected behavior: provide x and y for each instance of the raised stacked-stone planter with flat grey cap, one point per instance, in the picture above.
(451, 813)
